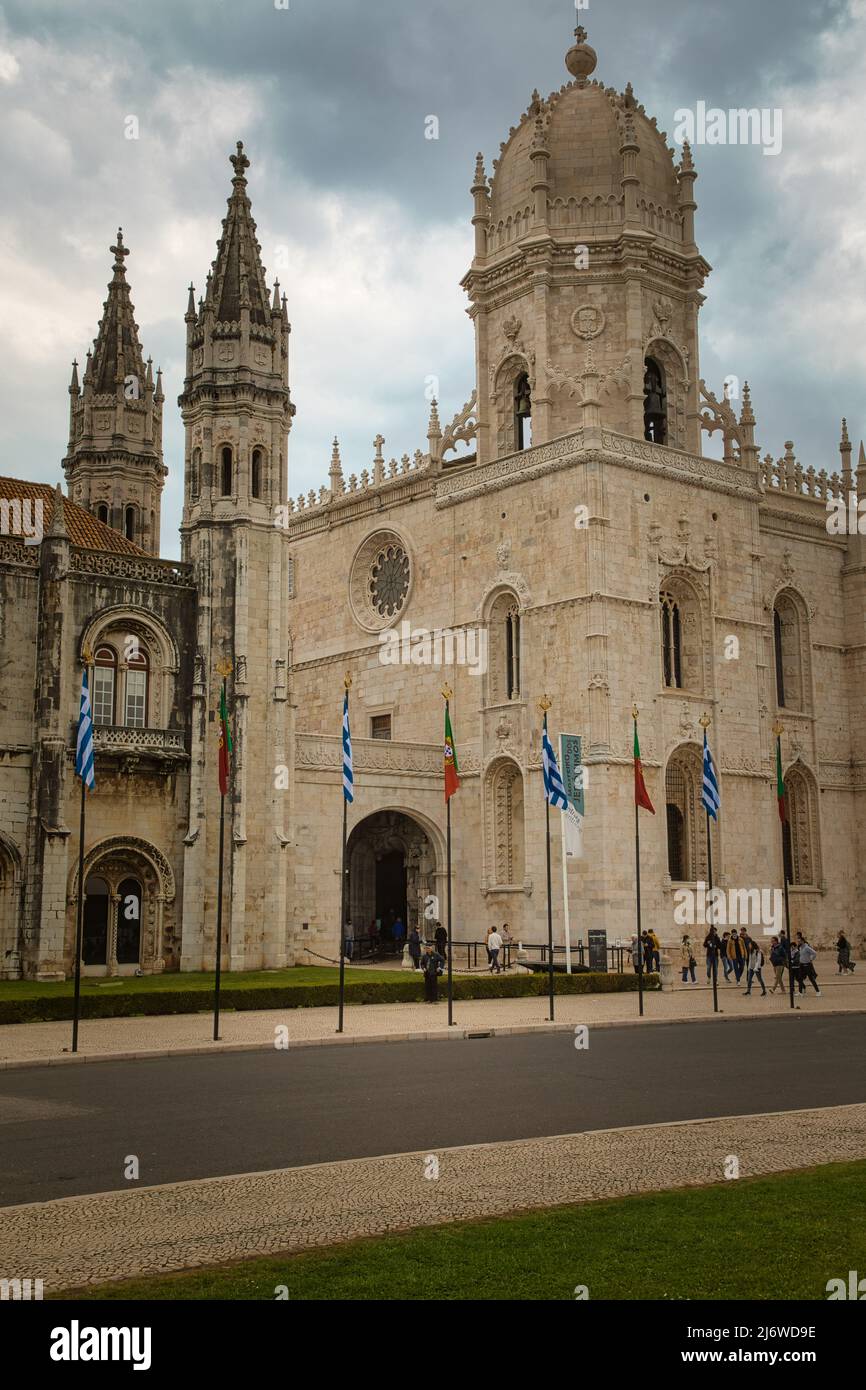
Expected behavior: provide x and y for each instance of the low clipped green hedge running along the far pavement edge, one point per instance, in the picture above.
(312, 996)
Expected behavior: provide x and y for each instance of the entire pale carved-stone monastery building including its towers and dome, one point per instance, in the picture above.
(565, 536)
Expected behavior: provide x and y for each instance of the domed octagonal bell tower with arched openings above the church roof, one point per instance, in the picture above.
(586, 281)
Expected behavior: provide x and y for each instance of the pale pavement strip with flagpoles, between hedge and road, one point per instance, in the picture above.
(193, 1032)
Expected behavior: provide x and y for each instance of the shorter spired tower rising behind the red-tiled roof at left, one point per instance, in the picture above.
(115, 459)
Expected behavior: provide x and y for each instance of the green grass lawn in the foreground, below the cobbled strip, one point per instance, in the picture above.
(754, 1239)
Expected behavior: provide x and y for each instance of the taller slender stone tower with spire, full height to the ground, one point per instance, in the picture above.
(237, 416)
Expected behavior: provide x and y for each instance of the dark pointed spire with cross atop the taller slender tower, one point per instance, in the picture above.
(238, 275)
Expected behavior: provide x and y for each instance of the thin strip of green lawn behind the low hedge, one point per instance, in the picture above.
(300, 975)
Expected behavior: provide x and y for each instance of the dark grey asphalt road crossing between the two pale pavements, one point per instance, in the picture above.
(67, 1131)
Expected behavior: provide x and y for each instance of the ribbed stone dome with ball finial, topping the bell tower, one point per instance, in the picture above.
(580, 133)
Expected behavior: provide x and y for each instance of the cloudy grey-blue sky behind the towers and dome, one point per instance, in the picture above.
(372, 220)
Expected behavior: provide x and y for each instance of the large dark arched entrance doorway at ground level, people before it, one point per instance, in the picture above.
(393, 871)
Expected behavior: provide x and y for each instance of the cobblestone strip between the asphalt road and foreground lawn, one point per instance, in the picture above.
(85, 1241)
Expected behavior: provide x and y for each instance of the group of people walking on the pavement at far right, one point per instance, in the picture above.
(737, 954)
